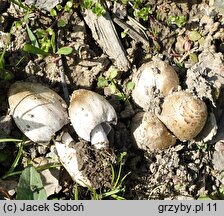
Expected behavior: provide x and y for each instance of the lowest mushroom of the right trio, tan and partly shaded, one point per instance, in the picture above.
(150, 133)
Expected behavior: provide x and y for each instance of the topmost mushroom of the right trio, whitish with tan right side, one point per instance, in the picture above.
(151, 77)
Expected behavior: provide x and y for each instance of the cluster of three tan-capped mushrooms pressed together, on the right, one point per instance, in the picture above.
(183, 115)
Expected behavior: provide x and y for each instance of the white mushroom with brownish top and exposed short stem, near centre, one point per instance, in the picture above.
(91, 116)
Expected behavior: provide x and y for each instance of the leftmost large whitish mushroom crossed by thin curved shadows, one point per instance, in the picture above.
(38, 111)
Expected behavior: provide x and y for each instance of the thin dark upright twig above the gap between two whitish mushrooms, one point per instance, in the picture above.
(62, 72)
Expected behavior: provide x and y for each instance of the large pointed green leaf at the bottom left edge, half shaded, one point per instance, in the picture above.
(30, 185)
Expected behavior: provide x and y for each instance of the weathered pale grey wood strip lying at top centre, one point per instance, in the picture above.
(105, 34)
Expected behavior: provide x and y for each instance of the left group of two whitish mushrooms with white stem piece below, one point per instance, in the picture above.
(39, 113)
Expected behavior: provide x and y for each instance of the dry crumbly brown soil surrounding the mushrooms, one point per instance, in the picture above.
(188, 170)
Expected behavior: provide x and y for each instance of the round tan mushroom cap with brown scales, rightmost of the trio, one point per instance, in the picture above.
(184, 115)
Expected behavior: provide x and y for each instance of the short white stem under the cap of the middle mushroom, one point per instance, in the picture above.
(98, 137)
